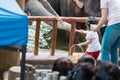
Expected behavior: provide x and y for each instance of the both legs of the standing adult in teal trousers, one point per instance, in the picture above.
(110, 44)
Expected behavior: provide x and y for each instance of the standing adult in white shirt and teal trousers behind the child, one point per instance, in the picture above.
(110, 10)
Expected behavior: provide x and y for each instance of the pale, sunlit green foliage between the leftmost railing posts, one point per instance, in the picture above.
(45, 36)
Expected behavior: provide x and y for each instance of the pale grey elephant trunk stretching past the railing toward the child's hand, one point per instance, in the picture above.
(37, 9)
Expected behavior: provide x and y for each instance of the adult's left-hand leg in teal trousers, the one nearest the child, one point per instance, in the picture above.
(107, 42)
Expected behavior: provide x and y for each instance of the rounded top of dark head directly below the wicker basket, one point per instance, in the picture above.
(87, 58)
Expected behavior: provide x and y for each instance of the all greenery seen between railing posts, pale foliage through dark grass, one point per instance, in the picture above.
(45, 38)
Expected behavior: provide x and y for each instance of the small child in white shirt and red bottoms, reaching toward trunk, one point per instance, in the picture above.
(92, 39)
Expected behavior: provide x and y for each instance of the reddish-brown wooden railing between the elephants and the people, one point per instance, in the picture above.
(72, 20)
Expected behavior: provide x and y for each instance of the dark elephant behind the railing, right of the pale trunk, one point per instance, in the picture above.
(71, 8)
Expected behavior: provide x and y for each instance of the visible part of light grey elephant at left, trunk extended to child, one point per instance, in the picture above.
(39, 8)
